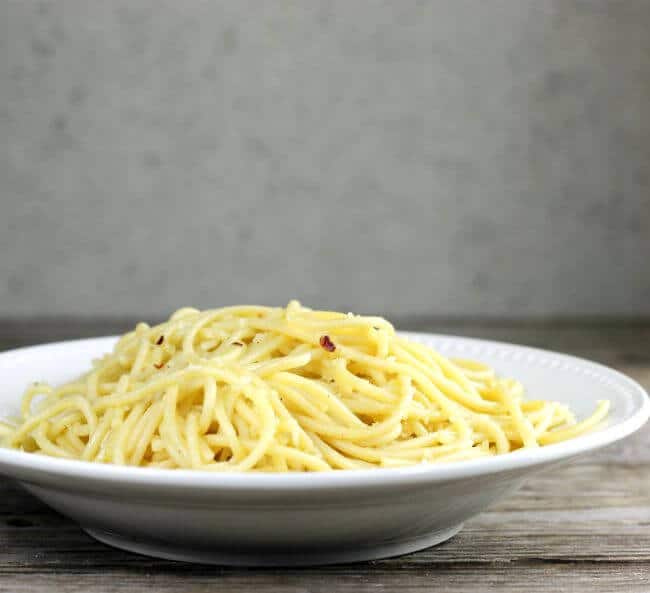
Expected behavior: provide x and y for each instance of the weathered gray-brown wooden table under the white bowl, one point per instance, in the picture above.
(585, 527)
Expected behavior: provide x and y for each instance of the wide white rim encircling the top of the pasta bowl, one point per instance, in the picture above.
(17, 464)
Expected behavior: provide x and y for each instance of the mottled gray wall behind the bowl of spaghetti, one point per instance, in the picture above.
(426, 158)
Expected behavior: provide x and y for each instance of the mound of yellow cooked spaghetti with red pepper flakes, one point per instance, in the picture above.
(251, 388)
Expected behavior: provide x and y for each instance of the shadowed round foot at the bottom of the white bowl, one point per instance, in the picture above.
(269, 556)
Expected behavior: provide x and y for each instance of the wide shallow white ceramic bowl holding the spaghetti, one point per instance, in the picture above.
(305, 518)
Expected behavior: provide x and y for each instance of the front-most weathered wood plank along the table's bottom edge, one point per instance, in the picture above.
(505, 578)
